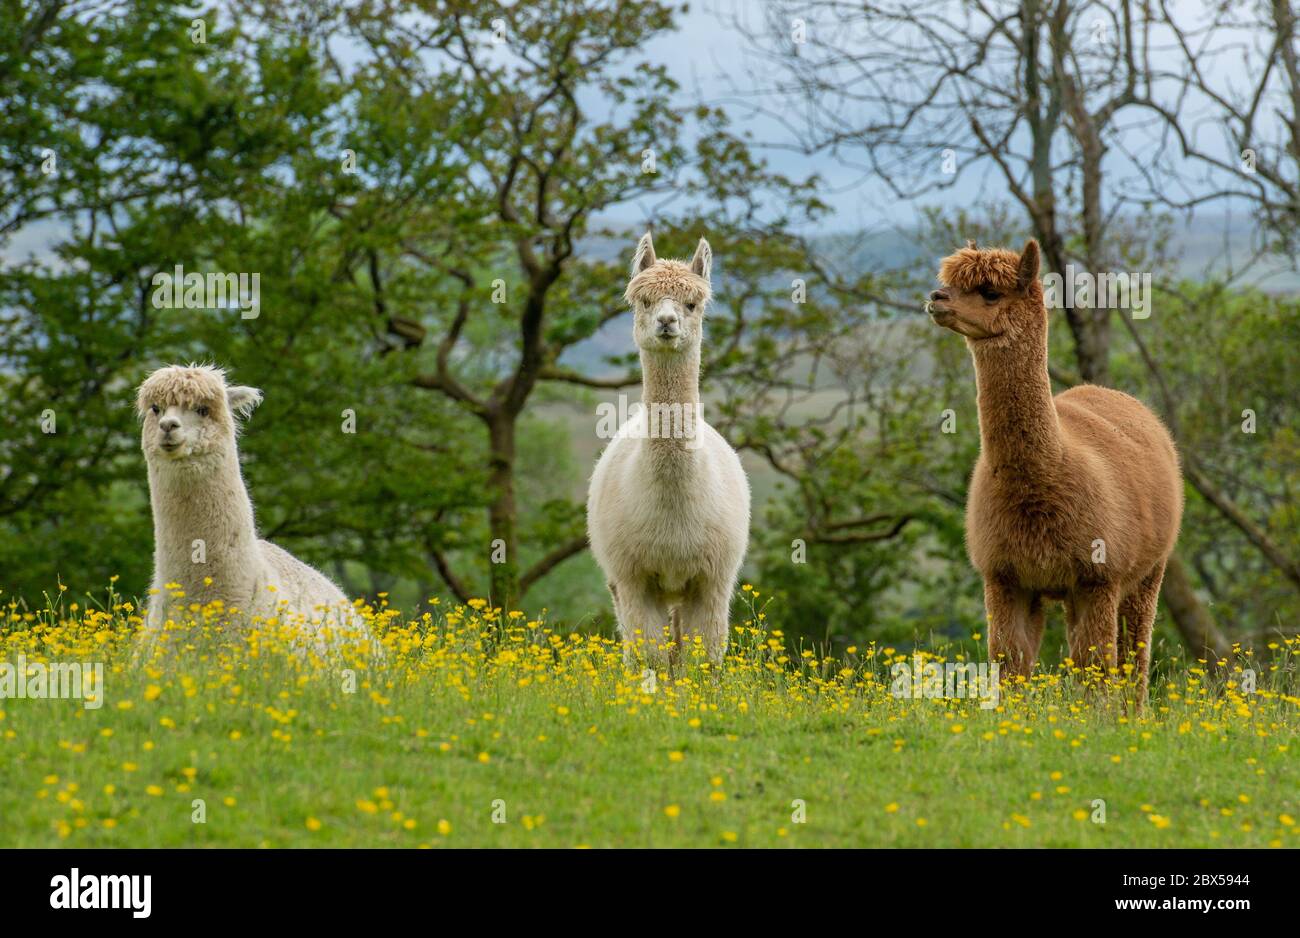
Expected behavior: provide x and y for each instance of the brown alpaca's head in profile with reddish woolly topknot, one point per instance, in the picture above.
(991, 297)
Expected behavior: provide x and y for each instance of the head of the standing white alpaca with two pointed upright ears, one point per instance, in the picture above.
(669, 299)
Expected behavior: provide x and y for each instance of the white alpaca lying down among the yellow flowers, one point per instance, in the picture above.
(203, 524)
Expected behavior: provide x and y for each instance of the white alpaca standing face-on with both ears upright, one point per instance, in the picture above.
(668, 514)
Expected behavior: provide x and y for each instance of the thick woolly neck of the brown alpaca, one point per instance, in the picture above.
(1019, 424)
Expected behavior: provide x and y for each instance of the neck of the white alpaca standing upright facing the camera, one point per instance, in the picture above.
(670, 393)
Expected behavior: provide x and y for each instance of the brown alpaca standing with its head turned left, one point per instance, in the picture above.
(1077, 497)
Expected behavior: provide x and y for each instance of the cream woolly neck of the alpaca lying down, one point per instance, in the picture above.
(202, 503)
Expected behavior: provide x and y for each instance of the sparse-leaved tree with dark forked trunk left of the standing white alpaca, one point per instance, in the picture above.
(561, 123)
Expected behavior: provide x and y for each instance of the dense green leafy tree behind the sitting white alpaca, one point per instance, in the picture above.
(210, 149)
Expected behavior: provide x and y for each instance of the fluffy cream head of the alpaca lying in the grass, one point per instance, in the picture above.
(189, 415)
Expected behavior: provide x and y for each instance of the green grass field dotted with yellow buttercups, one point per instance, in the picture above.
(480, 732)
